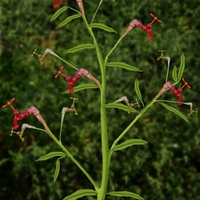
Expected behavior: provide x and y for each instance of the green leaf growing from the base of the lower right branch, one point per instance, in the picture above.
(129, 143)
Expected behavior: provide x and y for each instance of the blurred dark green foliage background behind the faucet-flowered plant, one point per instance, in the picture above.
(168, 168)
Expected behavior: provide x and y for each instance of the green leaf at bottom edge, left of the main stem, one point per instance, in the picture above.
(81, 193)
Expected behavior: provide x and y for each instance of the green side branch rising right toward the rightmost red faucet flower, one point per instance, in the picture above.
(132, 123)
